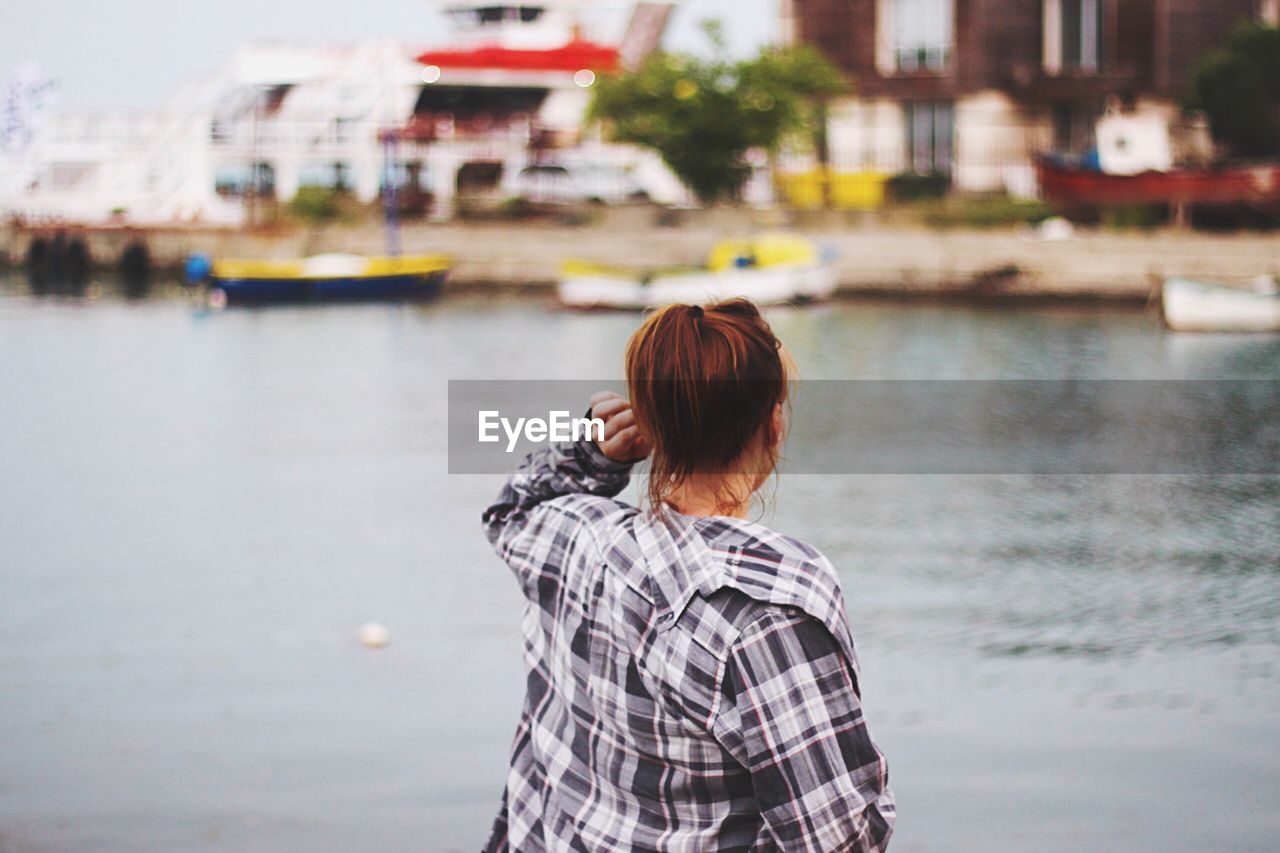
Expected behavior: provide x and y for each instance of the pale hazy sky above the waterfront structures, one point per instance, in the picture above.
(132, 54)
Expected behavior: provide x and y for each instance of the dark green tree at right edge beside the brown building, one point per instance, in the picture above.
(1238, 86)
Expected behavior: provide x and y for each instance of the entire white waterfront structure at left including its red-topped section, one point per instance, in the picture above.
(510, 85)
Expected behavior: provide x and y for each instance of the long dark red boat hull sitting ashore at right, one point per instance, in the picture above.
(1252, 184)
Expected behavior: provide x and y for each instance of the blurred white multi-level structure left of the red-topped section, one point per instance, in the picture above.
(275, 118)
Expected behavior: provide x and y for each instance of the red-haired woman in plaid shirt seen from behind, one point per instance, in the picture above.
(692, 682)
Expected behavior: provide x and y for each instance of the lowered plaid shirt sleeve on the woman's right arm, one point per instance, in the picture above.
(792, 714)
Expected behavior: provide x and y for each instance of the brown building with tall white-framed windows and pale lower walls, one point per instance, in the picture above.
(976, 89)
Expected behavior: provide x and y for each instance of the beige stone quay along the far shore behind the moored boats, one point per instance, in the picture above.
(875, 261)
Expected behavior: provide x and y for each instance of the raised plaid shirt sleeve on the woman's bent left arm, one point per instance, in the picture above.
(523, 528)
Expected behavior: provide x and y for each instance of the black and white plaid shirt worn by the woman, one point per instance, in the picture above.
(692, 682)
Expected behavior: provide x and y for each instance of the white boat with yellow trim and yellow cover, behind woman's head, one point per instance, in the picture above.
(772, 268)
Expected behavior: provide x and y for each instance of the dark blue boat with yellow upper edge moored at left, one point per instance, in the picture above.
(327, 279)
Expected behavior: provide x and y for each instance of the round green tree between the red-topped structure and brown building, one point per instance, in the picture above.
(703, 115)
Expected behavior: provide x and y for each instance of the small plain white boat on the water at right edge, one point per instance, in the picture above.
(1199, 307)
